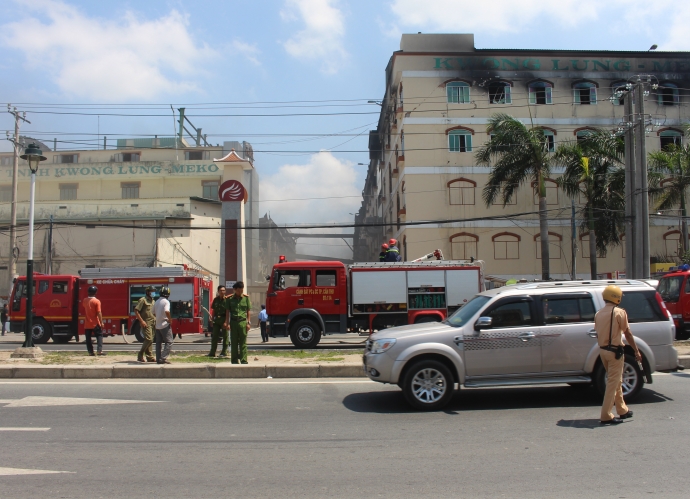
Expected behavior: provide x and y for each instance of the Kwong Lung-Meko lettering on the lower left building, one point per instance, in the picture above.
(92, 171)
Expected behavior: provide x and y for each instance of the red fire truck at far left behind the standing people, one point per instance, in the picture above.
(59, 313)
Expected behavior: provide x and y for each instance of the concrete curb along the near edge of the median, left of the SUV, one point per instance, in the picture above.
(182, 371)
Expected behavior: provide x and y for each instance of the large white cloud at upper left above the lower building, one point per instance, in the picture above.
(103, 59)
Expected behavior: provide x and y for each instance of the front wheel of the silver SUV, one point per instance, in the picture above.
(428, 385)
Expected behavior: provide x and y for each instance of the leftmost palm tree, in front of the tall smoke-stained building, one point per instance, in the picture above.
(517, 154)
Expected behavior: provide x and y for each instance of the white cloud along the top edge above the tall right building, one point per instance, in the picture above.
(498, 15)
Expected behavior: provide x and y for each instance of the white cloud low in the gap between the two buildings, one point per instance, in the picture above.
(326, 177)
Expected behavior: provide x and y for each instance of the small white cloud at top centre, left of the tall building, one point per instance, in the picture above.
(322, 37)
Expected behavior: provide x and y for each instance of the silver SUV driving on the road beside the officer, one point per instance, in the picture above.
(541, 333)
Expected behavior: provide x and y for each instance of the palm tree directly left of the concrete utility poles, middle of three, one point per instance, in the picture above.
(594, 170)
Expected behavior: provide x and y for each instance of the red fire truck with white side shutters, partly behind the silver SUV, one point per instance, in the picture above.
(308, 299)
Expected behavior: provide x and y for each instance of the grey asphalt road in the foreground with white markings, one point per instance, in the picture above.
(335, 438)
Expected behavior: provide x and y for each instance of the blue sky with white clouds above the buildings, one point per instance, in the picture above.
(296, 58)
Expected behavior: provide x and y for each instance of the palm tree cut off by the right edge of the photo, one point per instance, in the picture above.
(673, 162)
